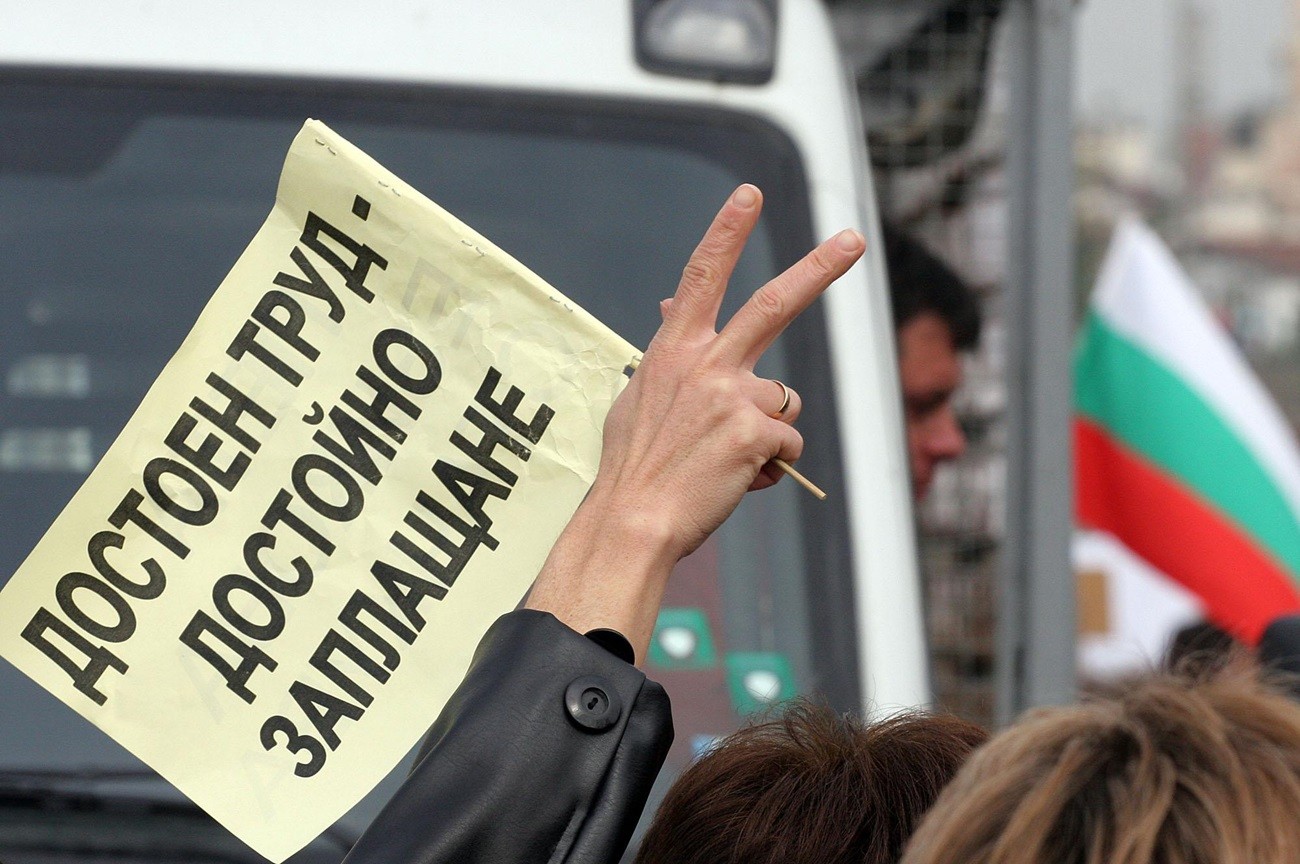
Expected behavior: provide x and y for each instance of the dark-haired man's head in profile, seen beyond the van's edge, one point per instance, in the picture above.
(937, 318)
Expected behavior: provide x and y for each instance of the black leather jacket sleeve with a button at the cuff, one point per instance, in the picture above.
(547, 753)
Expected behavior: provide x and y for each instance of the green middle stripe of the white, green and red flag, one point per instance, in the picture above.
(1155, 414)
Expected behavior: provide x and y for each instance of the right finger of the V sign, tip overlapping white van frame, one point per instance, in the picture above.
(773, 307)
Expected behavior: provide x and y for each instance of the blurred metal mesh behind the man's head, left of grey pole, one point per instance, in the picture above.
(937, 141)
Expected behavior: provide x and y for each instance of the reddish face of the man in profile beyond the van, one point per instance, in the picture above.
(930, 372)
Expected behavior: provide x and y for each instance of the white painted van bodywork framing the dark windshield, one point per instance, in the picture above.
(579, 50)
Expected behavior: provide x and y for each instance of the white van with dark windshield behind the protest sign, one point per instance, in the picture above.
(593, 140)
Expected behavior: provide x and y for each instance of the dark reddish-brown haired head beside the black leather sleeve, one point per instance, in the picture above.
(809, 787)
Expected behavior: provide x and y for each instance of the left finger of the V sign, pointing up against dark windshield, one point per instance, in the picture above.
(694, 311)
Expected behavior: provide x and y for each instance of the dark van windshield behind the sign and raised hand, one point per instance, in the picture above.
(124, 202)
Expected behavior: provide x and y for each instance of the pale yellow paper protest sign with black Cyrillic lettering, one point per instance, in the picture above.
(358, 459)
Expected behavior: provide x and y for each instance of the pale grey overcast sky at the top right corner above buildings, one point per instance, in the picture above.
(1126, 57)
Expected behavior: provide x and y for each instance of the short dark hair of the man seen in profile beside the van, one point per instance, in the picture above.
(920, 283)
